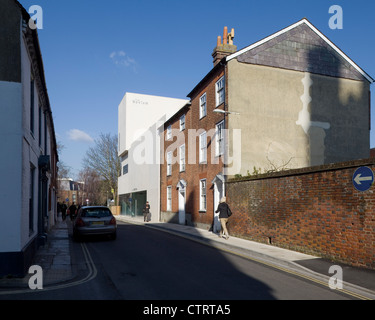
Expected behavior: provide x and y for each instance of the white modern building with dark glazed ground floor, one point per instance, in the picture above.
(139, 117)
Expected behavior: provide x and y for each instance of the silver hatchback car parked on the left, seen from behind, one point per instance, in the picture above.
(94, 220)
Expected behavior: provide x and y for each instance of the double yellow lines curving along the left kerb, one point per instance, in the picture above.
(90, 276)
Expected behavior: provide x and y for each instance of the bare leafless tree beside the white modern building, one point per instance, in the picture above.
(103, 159)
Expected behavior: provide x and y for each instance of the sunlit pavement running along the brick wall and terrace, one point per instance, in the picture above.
(356, 280)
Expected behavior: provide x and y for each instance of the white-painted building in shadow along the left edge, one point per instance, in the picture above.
(27, 143)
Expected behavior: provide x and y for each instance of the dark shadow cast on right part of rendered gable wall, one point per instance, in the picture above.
(335, 112)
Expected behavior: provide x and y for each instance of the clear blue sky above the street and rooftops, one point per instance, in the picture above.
(96, 51)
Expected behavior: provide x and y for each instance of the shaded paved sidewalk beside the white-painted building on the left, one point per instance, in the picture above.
(54, 258)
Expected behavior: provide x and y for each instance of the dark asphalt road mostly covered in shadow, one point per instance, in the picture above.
(146, 264)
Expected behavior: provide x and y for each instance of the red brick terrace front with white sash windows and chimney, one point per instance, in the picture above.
(192, 173)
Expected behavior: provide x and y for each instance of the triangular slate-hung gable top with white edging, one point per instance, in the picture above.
(302, 49)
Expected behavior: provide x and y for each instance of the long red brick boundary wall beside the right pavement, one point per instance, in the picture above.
(314, 210)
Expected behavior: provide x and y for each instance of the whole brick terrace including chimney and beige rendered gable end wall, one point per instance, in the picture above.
(284, 102)
